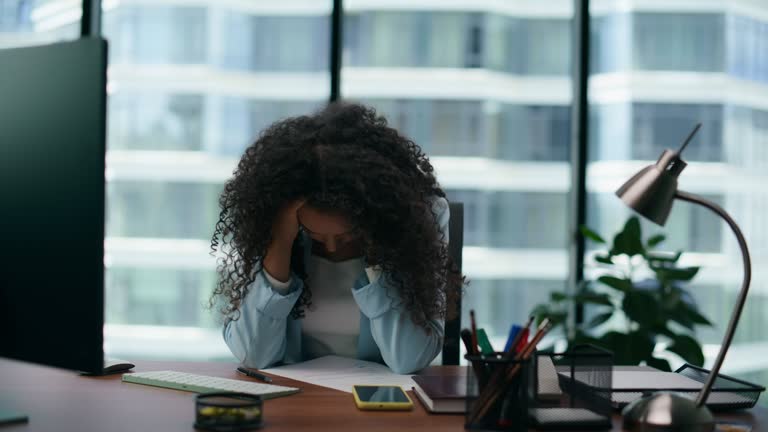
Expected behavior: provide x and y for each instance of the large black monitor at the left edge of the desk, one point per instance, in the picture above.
(52, 150)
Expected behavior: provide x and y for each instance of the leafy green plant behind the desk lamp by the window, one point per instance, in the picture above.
(639, 301)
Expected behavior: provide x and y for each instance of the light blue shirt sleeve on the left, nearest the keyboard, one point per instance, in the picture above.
(258, 337)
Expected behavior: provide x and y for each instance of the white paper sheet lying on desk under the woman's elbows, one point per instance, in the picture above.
(341, 373)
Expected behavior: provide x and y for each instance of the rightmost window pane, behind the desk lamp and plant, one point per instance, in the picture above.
(655, 75)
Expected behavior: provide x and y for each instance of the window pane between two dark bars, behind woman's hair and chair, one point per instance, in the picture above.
(413, 66)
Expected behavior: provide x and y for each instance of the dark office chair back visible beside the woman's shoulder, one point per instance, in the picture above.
(452, 337)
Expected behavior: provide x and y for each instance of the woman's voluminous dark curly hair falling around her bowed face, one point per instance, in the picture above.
(343, 158)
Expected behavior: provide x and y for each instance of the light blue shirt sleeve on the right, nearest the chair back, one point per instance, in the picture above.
(405, 346)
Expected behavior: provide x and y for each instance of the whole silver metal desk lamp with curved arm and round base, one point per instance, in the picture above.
(651, 193)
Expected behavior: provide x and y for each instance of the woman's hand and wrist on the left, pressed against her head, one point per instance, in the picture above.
(285, 228)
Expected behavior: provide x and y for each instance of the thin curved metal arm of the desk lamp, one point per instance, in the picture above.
(684, 196)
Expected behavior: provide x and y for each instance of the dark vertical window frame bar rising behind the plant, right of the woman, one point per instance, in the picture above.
(579, 129)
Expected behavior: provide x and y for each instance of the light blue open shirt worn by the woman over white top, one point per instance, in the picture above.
(266, 334)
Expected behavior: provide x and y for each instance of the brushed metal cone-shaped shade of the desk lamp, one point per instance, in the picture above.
(652, 190)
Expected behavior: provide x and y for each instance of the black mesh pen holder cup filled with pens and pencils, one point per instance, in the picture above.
(497, 393)
